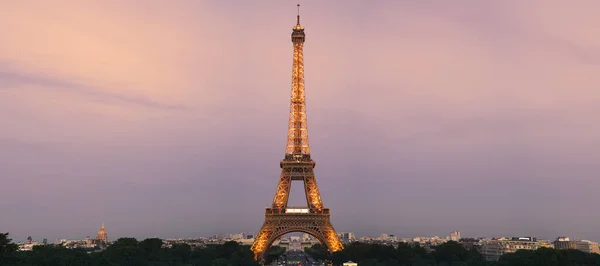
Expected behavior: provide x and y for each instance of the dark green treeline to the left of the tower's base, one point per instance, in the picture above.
(131, 252)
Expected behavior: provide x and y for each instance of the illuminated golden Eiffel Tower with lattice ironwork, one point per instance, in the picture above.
(280, 218)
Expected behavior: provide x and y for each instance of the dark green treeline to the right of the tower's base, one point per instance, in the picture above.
(450, 254)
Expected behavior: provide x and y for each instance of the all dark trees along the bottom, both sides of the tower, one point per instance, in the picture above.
(151, 252)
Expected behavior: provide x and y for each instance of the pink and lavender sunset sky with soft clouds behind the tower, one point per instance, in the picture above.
(168, 118)
